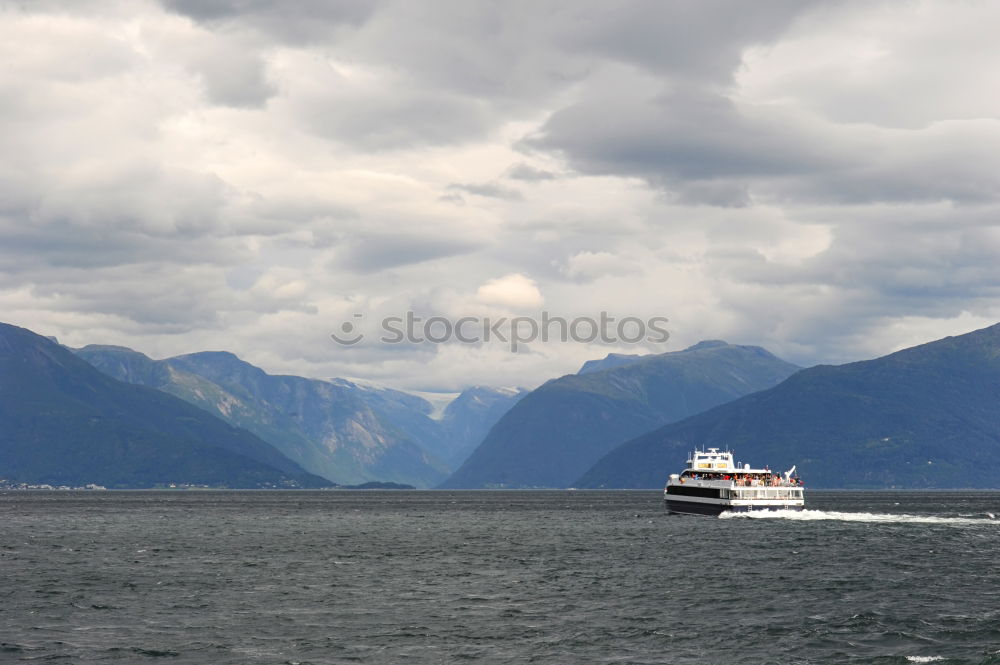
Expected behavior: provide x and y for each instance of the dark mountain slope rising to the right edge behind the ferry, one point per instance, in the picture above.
(928, 416)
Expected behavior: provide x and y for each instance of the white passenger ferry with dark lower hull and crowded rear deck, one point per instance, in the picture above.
(712, 484)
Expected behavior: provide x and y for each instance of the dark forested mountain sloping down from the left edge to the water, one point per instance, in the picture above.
(63, 422)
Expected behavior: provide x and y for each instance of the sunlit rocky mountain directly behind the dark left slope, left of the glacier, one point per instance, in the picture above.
(327, 427)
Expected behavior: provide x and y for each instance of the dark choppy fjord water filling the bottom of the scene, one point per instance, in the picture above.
(495, 577)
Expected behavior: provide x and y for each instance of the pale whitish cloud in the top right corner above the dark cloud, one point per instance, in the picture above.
(890, 65)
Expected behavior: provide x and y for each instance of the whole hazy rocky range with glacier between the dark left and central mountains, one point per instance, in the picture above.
(349, 432)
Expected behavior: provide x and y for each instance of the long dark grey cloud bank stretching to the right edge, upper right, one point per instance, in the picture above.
(699, 146)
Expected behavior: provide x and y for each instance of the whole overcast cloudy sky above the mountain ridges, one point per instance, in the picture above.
(818, 178)
